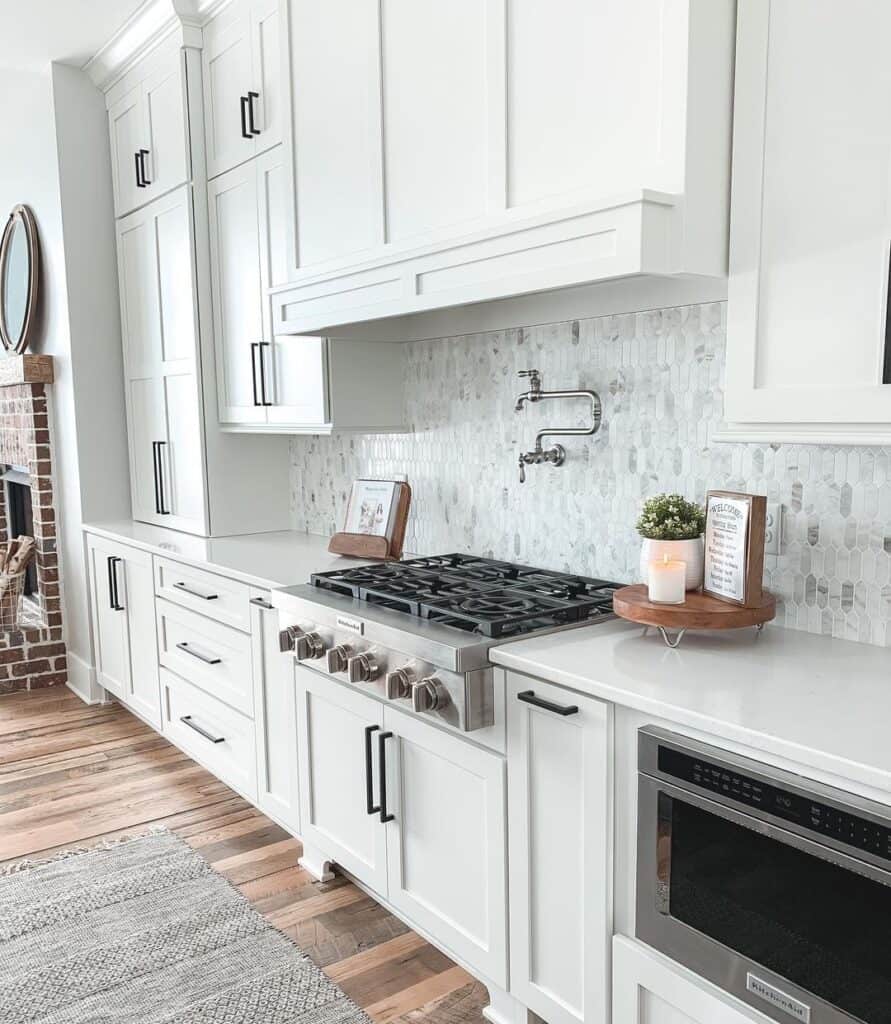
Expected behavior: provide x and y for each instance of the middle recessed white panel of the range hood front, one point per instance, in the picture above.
(436, 114)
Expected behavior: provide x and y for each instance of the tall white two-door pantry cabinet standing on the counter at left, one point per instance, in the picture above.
(159, 316)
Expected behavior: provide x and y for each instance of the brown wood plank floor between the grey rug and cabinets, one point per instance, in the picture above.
(71, 776)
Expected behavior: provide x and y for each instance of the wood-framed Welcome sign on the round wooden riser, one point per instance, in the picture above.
(736, 526)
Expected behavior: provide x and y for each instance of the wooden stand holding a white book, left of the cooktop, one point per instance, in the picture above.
(375, 522)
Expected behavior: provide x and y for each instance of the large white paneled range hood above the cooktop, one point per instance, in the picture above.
(451, 153)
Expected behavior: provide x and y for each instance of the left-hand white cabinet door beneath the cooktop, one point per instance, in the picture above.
(332, 724)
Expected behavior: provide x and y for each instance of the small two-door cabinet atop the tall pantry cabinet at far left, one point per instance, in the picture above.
(148, 131)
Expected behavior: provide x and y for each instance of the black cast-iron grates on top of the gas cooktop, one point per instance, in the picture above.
(478, 595)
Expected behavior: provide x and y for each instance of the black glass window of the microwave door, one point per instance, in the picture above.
(825, 927)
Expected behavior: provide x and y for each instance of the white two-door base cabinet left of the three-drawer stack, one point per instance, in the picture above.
(122, 599)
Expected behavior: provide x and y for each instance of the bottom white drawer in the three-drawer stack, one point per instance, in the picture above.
(215, 735)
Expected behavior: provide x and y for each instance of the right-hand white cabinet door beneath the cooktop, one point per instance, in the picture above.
(446, 847)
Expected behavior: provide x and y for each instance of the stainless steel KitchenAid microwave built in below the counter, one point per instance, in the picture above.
(776, 888)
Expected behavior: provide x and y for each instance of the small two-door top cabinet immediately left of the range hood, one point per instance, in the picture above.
(242, 71)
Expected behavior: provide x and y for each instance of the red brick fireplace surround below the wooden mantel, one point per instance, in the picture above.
(34, 655)
